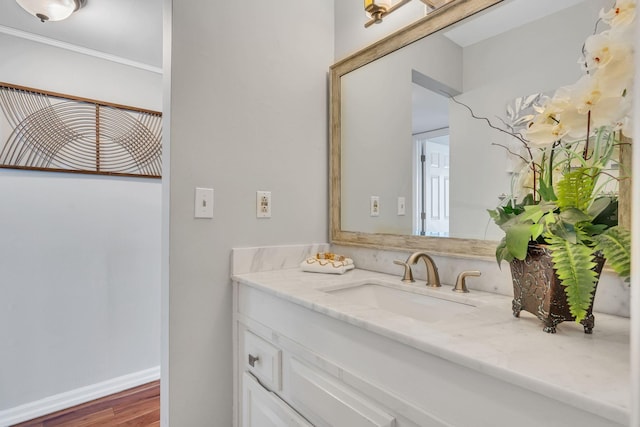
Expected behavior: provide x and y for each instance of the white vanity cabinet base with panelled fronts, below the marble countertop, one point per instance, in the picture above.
(297, 366)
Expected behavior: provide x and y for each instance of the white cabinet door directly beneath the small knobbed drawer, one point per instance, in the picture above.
(262, 408)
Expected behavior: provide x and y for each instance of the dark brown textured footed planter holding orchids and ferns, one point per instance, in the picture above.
(537, 289)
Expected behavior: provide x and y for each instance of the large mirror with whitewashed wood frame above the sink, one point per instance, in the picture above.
(410, 167)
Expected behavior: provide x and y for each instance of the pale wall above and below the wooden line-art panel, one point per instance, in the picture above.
(79, 254)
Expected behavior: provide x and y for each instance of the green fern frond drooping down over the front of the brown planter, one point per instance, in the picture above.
(573, 264)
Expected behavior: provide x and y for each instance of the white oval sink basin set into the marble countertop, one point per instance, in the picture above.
(407, 302)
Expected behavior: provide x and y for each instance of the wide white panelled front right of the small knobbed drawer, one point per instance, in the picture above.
(327, 402)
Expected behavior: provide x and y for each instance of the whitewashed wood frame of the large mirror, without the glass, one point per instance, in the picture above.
(467, 248)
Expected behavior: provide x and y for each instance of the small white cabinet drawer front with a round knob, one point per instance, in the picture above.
(263, 360)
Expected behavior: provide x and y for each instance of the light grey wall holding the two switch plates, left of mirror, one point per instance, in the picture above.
(248, 112)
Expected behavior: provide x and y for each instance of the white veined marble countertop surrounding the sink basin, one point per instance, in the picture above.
(591, 372)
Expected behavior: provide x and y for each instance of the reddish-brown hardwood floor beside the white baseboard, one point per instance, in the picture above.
(139, 407)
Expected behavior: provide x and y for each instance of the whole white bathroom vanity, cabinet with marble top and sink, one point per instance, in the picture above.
(359, 350)
